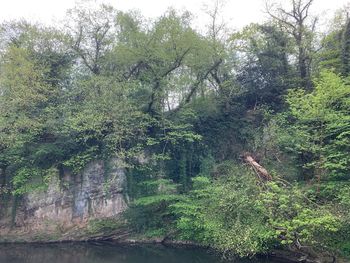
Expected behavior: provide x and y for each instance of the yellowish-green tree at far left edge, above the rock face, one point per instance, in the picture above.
(25, 111)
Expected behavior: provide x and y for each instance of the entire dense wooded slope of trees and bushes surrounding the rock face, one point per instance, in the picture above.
(238, 140)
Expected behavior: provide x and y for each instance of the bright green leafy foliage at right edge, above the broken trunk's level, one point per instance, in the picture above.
(322, 118)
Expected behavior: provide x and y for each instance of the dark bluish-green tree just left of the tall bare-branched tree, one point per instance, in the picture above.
(264, 70)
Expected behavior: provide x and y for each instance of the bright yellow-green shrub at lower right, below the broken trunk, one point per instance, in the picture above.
(296, 219)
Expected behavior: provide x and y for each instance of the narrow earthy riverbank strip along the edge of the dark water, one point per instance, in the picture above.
(124, 238)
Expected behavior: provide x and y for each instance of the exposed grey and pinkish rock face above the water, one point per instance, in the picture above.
(70, 201)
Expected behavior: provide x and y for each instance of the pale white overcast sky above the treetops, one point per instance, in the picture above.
(237, 13)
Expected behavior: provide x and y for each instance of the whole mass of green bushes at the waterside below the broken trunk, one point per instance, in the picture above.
(237, 217)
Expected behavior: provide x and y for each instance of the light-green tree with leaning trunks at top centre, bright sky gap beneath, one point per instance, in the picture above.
(169, 60)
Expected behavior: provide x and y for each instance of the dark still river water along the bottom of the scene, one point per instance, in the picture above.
(106, 253)
